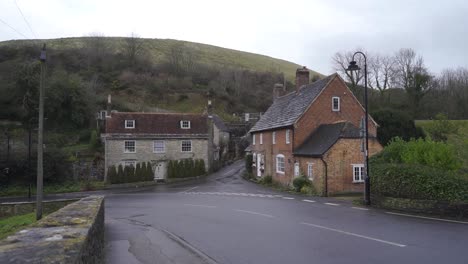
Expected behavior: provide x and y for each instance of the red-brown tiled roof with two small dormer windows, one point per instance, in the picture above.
(157, 123)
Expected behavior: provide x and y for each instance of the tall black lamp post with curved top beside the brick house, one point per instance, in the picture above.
(354, 67)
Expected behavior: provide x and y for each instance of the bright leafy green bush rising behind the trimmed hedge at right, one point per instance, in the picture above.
(423, 152)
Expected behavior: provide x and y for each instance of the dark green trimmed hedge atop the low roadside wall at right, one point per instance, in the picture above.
(417, 182)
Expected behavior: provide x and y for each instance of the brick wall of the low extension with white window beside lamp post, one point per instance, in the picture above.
(340, 159)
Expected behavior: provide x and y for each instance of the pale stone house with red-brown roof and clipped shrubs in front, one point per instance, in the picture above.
(130, 138)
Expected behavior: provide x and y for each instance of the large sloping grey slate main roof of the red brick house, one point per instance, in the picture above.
(287, 109)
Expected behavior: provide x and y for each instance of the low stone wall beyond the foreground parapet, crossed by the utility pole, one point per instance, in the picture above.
(18, 208)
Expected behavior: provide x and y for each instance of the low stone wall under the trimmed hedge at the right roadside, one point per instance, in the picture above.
(458, 210)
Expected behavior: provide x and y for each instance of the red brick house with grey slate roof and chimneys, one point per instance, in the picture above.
(313, 131)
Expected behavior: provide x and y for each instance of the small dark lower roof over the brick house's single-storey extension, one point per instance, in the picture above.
(324, 137)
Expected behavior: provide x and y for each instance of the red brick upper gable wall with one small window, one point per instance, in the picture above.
(320, 112)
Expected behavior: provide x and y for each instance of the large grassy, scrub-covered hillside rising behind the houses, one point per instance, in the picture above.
(142, 74)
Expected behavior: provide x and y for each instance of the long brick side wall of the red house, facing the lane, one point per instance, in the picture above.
(270, 151)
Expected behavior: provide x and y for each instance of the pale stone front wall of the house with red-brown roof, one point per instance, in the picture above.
(144, 151)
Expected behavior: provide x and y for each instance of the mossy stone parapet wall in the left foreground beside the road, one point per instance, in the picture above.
(73, 234)
